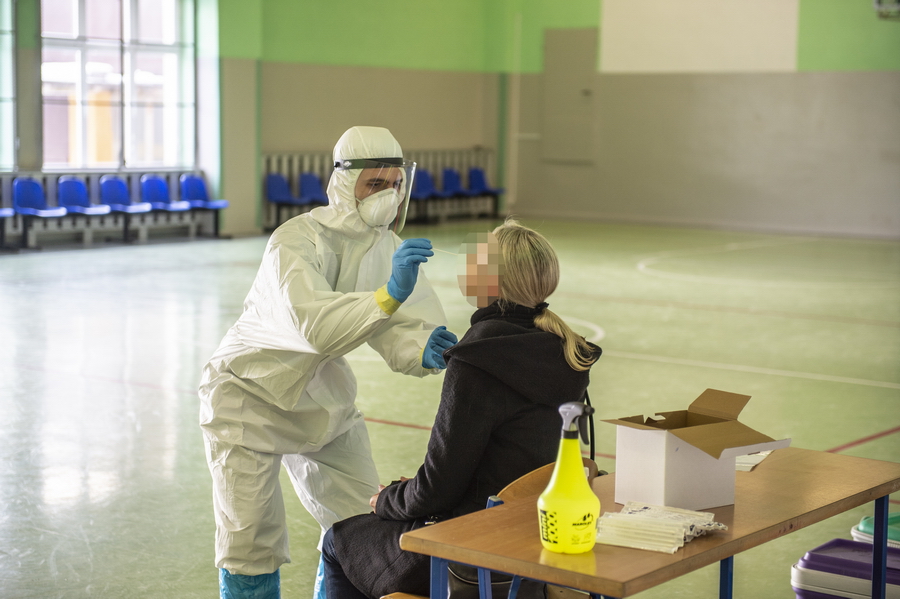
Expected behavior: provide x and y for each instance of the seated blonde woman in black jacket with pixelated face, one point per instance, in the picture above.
(498, 418)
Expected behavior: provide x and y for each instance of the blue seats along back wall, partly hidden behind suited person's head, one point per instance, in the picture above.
(278, 192)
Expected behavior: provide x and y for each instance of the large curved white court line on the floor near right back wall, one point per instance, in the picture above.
(644, 266)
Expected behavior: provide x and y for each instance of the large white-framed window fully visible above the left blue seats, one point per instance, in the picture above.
(118, 83)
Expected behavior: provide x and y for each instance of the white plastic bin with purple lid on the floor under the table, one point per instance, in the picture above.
(842, 568)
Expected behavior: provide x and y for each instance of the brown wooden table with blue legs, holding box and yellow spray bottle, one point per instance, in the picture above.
(790, 489)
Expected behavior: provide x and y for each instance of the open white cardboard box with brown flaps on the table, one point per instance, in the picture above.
(686, 458)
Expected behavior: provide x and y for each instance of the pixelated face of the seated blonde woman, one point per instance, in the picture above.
(480, 268)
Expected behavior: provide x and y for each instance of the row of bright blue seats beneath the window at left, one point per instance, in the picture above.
(30, 202)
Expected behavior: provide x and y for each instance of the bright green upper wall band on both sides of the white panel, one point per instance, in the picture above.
(499, 36)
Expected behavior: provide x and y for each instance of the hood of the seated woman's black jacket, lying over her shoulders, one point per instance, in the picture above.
(504, 343)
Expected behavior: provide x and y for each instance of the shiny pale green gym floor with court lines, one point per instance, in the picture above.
(104, 490)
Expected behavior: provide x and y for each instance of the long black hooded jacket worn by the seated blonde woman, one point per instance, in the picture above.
(498, 419)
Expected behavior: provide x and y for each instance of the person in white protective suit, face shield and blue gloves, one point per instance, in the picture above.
(278, 389)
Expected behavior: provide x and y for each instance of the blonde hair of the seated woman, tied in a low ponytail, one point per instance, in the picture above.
(530, 275)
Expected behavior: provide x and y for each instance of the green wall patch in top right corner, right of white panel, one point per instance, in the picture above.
(846, 35)
